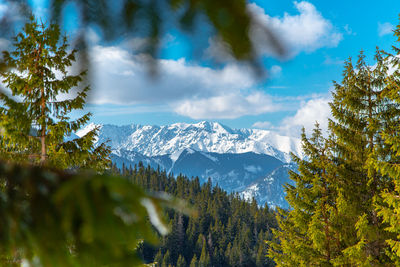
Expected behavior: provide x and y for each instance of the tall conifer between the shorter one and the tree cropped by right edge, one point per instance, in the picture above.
(357, 108)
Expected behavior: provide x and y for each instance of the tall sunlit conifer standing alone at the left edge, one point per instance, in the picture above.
(35, 120)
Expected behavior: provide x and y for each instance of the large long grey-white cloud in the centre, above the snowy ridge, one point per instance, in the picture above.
(188, 89)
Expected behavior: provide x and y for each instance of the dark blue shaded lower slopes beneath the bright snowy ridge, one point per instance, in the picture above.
(232, 172)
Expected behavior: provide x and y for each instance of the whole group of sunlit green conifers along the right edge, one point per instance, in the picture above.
(345, 196)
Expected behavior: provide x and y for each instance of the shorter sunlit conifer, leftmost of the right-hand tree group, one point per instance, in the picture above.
(305, 235)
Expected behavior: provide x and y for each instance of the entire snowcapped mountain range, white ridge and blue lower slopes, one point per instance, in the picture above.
(253, 162)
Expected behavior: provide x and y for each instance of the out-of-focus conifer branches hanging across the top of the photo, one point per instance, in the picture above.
(230, 22)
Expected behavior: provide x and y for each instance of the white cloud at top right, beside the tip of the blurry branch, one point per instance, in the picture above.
(306, 31)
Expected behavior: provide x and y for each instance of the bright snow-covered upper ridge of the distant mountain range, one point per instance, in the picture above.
(203, 136)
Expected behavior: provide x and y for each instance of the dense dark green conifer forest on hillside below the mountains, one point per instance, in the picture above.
(227, 231)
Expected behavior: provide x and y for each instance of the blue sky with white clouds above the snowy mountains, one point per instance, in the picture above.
(320, 35)
